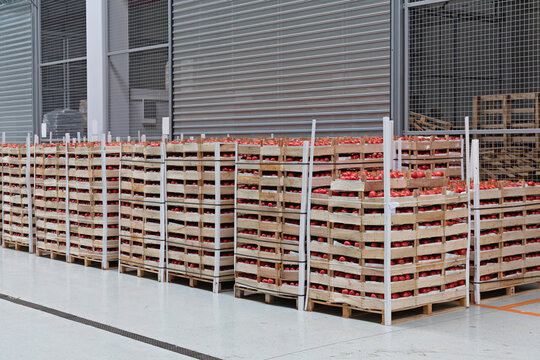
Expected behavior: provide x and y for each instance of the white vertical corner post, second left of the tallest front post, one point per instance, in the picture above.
(217, 216)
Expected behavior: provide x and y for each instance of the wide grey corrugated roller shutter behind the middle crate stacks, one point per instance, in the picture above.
(259, 67)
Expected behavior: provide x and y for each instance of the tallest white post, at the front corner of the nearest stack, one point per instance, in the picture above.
(387, 162)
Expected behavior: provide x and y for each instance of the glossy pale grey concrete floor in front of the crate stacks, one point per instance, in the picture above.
(226, 327)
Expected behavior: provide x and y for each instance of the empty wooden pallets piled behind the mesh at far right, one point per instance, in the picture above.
(515, 154)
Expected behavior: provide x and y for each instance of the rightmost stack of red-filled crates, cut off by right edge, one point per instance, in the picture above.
(508, 238)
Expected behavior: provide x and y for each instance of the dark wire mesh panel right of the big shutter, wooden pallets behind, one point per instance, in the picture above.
(478, 58)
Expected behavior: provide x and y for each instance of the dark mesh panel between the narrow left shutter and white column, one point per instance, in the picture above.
(63, 66)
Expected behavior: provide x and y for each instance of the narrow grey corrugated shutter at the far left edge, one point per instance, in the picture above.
(16, 115)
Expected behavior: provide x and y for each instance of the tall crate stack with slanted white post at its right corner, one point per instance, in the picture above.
(271, 209)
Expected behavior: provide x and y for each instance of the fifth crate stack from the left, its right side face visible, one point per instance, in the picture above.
(200, 210)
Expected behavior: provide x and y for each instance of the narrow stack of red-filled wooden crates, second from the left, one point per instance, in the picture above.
(50, 199)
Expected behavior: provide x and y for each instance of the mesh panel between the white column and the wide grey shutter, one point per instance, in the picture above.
(138, 67)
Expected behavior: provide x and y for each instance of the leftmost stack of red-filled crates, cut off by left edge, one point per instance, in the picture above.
(17, 201)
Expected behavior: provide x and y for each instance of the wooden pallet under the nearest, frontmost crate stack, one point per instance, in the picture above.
(401, 315)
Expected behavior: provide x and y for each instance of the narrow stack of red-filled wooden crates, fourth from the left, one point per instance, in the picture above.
(142, 238)
